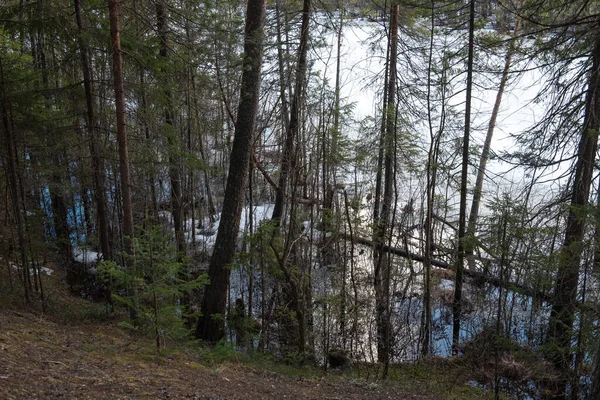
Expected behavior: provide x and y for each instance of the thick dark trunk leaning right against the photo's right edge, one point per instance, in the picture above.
(564, 303)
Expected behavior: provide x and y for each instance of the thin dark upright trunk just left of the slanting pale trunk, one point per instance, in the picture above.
(457, 301)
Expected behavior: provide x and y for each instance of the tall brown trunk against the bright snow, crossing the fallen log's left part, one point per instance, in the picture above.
(382, 264)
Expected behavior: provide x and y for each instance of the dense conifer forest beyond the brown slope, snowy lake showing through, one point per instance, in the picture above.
(335, 182)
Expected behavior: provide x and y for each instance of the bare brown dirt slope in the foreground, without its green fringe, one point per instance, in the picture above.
(41, 359)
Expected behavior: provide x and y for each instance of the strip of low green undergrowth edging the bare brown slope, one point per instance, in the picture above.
(442, 378)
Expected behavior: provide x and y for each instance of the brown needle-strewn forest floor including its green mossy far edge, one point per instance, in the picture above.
(77, 351)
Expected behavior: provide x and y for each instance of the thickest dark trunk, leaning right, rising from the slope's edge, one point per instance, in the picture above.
(211, 324)
